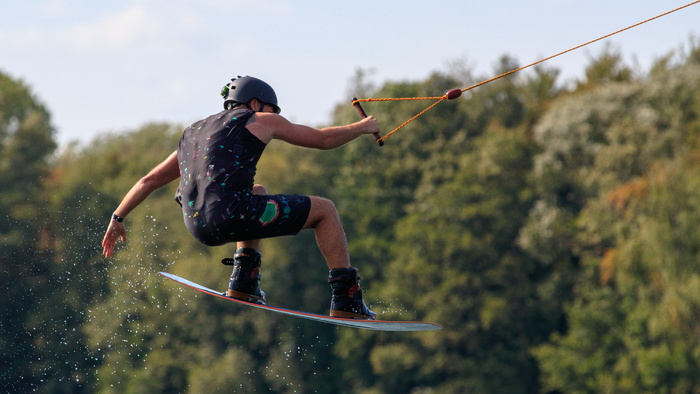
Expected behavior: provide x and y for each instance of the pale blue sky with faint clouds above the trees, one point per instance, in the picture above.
(113, 66)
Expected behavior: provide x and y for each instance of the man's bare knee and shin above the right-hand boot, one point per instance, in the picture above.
(330, 236)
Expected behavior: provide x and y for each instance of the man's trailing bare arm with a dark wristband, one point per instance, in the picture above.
(159, 176)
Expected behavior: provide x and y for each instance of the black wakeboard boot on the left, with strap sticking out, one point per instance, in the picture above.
(245, 279)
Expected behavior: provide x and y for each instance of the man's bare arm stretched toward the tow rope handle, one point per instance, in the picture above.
(268, 126)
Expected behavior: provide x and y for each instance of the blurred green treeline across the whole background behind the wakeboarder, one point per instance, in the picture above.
(549, 226)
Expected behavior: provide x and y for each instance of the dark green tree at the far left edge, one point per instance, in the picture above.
(29, 311)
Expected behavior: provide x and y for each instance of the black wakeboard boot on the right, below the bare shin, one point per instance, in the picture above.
(346, 301)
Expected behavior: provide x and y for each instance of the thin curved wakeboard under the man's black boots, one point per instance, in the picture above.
(380, 325)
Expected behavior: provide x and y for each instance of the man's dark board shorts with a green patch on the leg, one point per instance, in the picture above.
(263, 216)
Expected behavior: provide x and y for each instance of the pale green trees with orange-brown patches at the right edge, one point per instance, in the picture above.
(619, 170)
